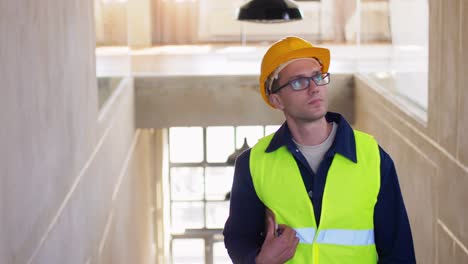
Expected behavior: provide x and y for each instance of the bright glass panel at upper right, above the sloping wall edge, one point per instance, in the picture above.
(403, 75)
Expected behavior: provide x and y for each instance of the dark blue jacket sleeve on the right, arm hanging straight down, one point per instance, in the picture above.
(393, 237)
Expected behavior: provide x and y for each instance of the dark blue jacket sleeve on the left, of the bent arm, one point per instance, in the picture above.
(243, 231)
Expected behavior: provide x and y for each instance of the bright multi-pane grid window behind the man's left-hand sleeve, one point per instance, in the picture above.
(200, 180)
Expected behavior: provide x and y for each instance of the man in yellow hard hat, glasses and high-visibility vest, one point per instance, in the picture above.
(327, 193)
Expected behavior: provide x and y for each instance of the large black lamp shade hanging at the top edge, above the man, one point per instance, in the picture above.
(269, 11)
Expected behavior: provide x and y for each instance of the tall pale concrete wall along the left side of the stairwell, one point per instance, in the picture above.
(74, 181)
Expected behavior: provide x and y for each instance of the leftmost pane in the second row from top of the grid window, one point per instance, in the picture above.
(187, 183)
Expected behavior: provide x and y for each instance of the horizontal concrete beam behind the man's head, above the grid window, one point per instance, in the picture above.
(219, 100)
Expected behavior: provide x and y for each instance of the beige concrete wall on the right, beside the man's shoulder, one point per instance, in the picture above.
(432, 158)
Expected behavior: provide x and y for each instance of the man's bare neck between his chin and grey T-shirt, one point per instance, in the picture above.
(310, 133)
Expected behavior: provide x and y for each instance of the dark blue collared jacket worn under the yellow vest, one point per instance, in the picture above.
(243, 232)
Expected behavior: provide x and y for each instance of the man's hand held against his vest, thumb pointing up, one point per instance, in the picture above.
(277, 249)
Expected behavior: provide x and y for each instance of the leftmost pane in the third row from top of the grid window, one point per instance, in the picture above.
(186, 215)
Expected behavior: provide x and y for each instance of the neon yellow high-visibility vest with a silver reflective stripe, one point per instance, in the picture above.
(346, 231)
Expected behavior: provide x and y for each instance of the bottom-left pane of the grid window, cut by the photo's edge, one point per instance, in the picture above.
(188, 251)
